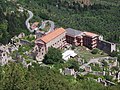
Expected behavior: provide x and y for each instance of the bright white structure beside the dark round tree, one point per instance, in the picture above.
(67, 54)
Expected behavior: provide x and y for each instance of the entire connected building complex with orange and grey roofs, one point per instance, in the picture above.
(60, 37)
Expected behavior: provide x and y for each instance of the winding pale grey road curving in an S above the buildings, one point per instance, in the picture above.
(27, 23)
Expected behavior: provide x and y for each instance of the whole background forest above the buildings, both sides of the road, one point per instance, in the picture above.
(101, 16)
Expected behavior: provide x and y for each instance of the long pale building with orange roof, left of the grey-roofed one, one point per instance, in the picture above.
(54, 39)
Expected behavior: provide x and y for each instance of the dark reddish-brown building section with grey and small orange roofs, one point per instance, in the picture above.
(78, 38)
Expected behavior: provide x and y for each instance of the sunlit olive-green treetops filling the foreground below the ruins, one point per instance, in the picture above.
(15, 76)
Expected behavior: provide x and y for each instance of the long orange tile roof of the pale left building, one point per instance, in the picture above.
(50, 36)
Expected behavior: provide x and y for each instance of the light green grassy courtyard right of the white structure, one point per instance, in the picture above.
(86, 54)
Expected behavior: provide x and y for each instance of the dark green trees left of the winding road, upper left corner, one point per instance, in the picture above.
(11, 21)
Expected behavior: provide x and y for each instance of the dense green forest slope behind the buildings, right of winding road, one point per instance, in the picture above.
(101, 17)
